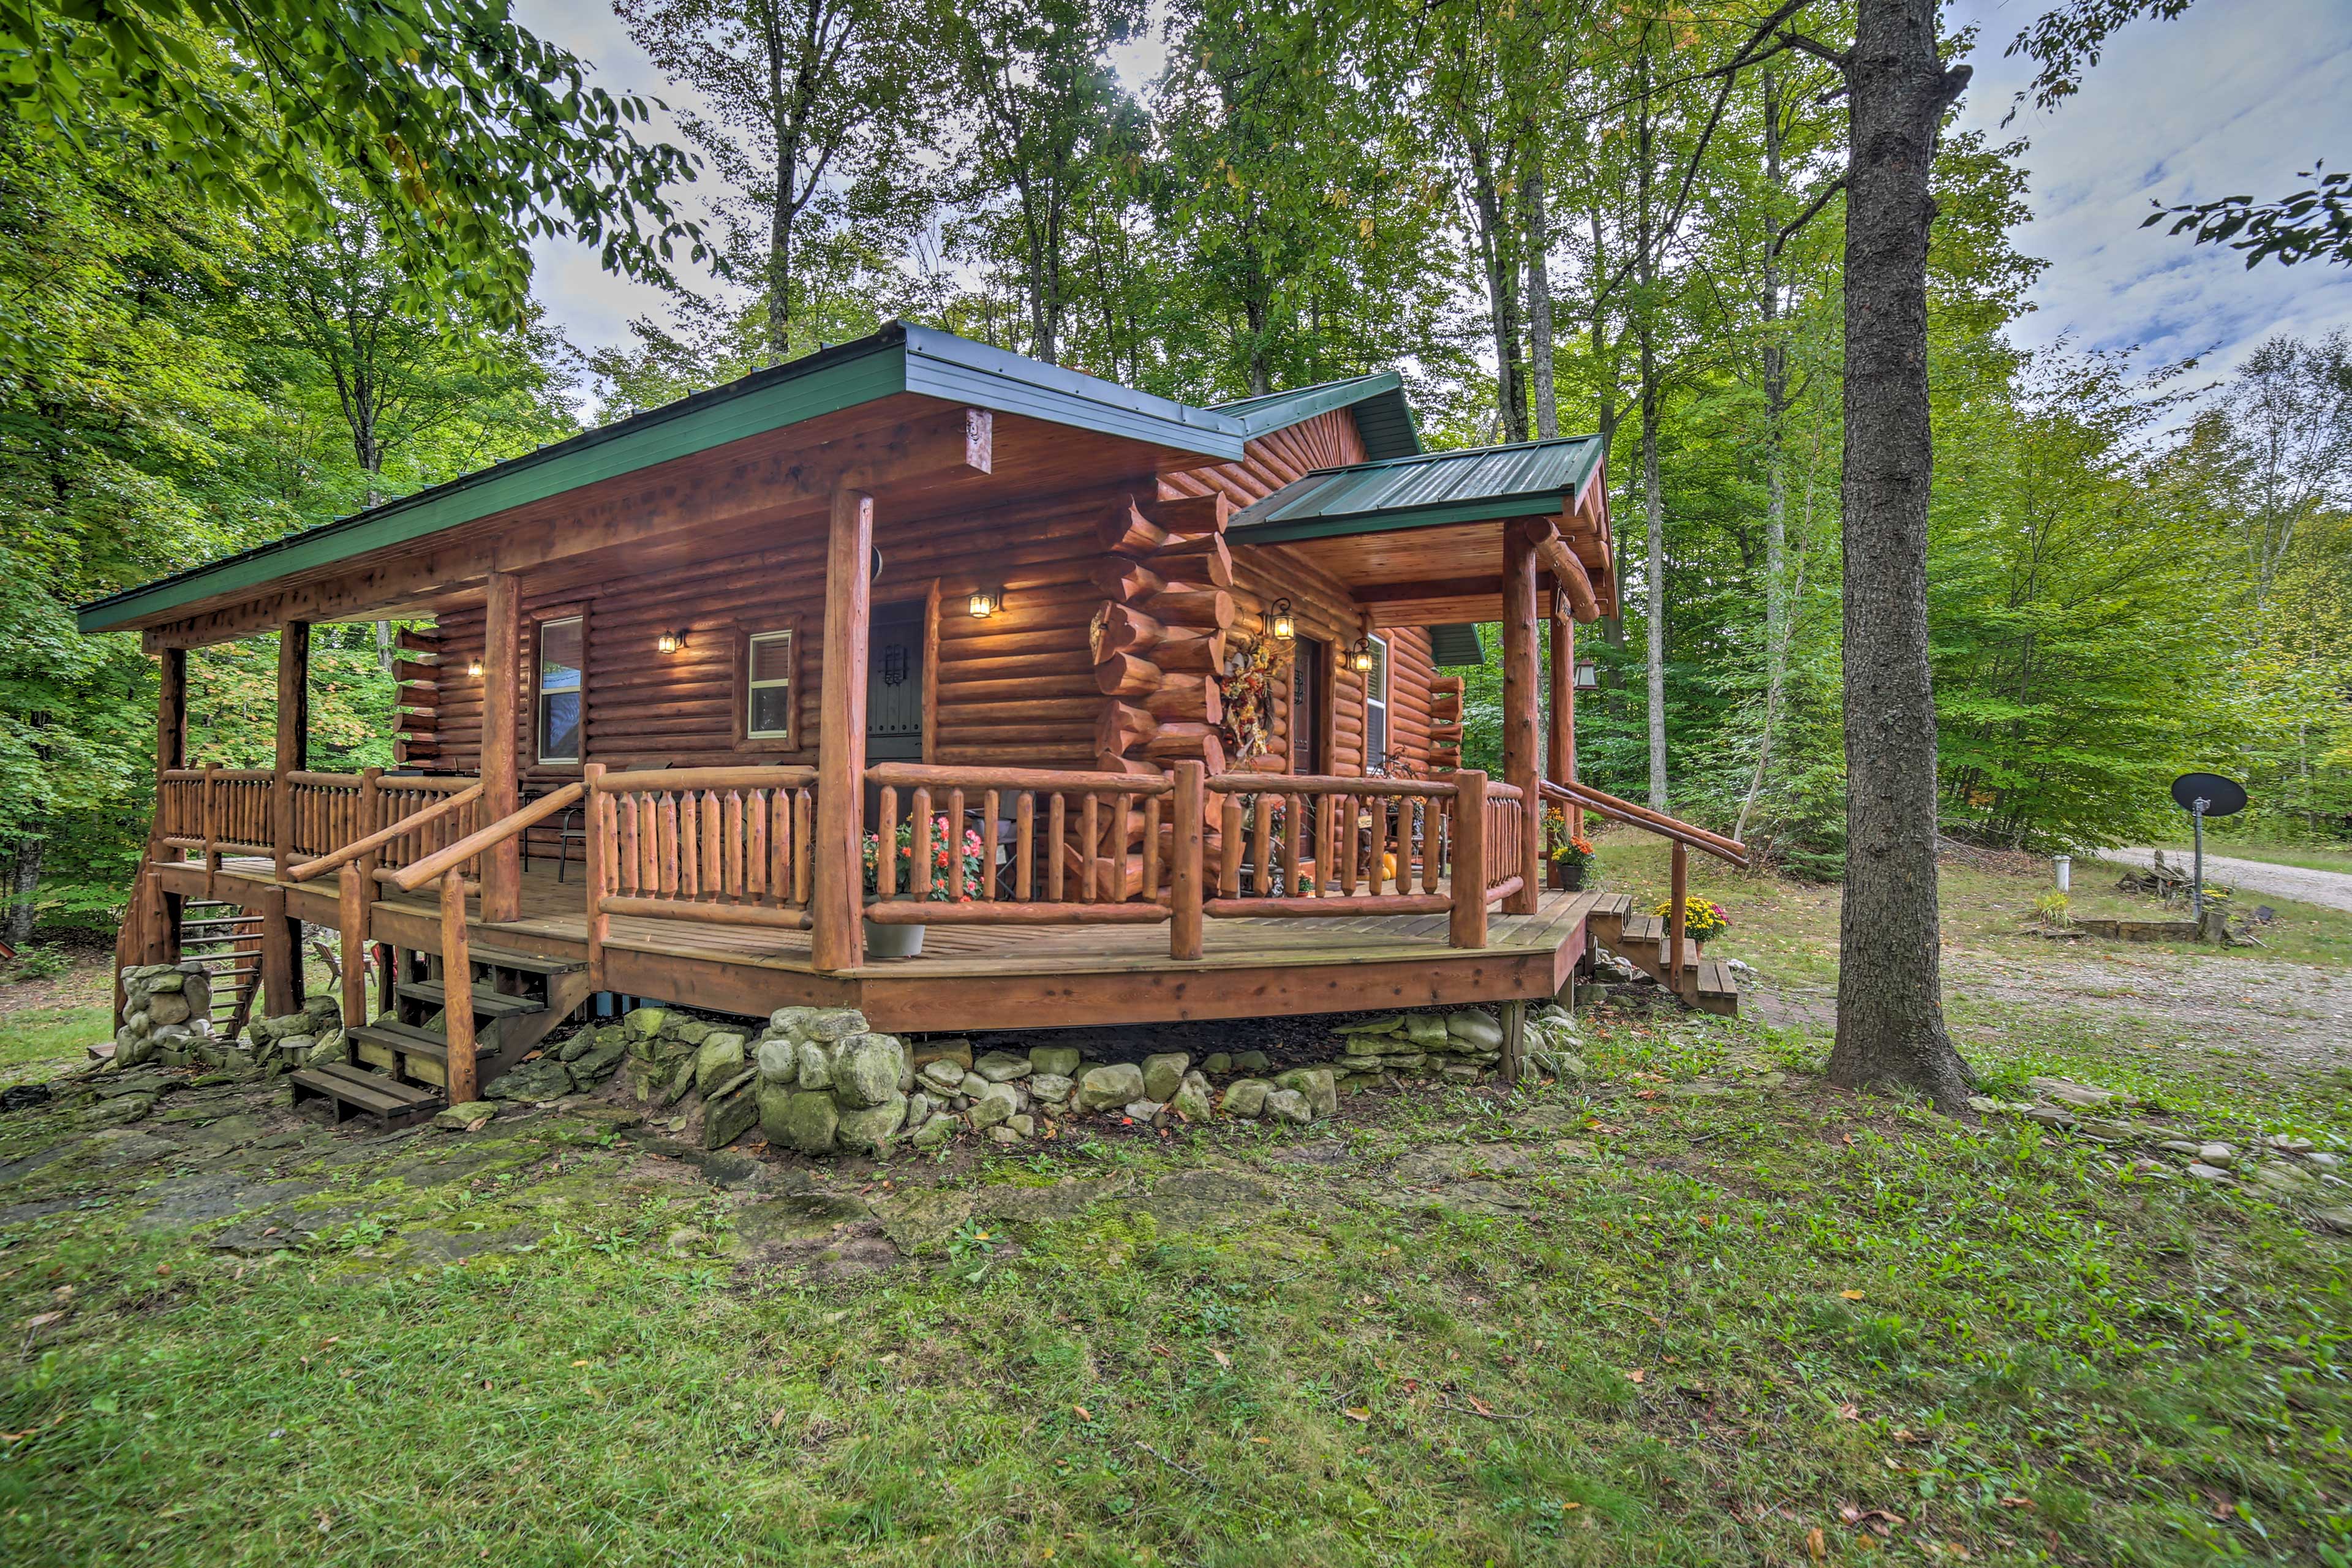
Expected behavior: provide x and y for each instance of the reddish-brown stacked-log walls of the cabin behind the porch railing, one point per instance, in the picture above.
(1121, 610)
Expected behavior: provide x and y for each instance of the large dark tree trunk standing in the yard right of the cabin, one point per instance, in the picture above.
(1890, 1000)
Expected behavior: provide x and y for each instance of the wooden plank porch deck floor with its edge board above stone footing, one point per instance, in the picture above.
(998, 977)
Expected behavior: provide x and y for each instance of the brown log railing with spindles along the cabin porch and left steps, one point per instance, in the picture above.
(1031, 845)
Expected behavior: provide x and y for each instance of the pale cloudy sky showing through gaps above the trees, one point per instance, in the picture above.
(2238, 98)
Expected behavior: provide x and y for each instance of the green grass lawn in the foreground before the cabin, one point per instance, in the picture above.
(1831, 1301)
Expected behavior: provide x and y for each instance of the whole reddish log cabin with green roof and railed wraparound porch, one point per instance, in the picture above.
(921, 678)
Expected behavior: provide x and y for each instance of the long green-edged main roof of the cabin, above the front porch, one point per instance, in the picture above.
(902, 359)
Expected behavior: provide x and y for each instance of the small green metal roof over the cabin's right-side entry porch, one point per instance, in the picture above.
(1426, 490)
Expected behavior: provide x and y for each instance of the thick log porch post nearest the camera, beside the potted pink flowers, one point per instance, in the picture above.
(838, 892)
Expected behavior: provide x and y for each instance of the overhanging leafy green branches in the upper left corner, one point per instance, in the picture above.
(465, 133)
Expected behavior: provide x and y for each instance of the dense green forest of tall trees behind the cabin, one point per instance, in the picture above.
(1549, 215)
